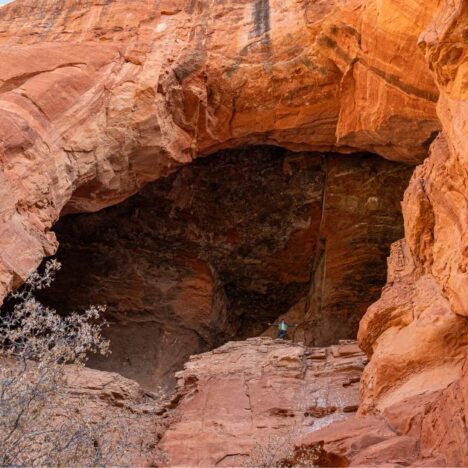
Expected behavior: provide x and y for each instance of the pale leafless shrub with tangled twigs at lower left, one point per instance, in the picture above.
(41, 422)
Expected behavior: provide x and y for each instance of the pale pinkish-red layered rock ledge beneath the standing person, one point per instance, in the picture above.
(251, 393)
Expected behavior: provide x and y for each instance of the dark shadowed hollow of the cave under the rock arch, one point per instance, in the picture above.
(227, 244)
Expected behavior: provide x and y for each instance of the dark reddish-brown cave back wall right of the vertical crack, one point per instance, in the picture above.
(360, 217)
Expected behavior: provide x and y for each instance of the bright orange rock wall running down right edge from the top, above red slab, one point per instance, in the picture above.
(417, 333)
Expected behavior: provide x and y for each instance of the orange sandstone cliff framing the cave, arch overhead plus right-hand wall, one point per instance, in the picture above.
(99, 98)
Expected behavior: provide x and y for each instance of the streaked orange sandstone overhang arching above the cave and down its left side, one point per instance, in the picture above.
(98, 98)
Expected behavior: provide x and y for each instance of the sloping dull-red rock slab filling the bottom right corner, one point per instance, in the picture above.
(428, 429)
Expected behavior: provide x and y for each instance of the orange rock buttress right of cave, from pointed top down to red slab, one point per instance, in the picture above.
(417, 332)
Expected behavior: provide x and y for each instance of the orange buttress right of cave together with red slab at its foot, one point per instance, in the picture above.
(414, 391)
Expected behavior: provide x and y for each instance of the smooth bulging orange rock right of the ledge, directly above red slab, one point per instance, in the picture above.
(416, 342)
